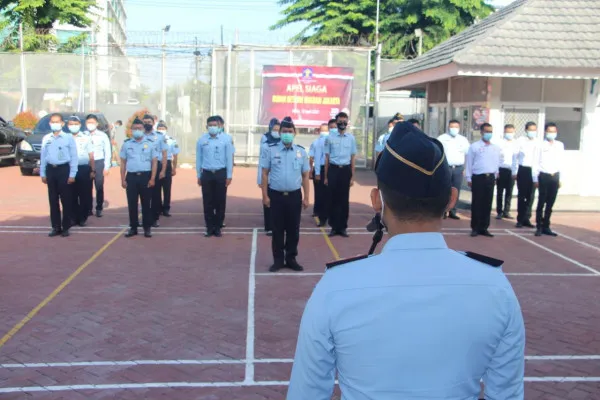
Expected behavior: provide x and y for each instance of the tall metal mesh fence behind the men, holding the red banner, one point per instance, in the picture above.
(219, 80)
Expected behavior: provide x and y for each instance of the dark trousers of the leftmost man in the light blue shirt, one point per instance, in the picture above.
(59, 190)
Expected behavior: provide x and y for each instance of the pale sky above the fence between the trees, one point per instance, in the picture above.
(251, 18)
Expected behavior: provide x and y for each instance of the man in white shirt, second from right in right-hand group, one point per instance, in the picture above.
(527, 147)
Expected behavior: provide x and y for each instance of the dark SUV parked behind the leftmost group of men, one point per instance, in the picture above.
(28, 153)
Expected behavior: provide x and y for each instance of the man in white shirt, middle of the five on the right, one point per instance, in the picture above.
(508, 172)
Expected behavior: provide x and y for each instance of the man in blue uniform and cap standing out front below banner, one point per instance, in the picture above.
(285, 170)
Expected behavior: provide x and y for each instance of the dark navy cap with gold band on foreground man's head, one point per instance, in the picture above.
(413, 164)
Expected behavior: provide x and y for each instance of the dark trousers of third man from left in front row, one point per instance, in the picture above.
(214, 193)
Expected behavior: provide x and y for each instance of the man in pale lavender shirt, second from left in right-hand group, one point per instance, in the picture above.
(481, 171)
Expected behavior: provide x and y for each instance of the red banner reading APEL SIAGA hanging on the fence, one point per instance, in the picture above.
(310, 95)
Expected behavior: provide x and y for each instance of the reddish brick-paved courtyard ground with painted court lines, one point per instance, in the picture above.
(183, 298)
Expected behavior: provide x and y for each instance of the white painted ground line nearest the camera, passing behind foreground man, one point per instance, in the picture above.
(173, 385)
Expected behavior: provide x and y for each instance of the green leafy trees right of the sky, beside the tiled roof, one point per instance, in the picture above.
(352, 22)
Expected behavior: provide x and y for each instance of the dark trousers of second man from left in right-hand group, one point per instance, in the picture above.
(482, 190)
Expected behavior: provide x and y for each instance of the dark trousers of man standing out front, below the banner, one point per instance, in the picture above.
(286, 209)
